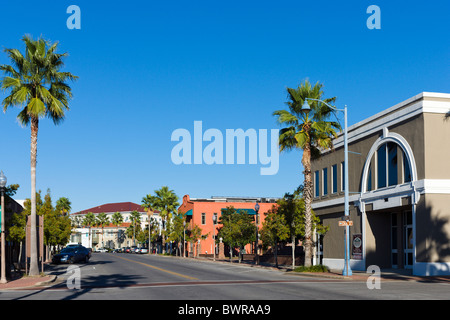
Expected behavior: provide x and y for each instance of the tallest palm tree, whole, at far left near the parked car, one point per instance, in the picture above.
(38, 86)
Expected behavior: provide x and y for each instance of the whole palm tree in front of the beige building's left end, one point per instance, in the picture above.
(308, 131)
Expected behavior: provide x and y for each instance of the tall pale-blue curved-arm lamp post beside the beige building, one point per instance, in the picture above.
(347, 270)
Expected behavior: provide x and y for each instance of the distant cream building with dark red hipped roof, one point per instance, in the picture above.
(111, 236)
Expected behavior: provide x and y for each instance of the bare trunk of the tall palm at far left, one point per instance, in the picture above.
(34, 265)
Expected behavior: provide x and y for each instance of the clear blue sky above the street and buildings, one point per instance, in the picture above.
(147, 68)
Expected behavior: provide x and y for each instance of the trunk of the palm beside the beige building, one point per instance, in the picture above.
(307, 192)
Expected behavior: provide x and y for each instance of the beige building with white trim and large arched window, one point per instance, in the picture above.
(399, 184)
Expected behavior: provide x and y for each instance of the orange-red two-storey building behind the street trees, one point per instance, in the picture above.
(201, 211)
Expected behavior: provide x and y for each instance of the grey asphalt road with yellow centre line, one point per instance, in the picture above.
(146, 277)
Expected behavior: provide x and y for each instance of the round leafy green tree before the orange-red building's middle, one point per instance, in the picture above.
(237, 230)
